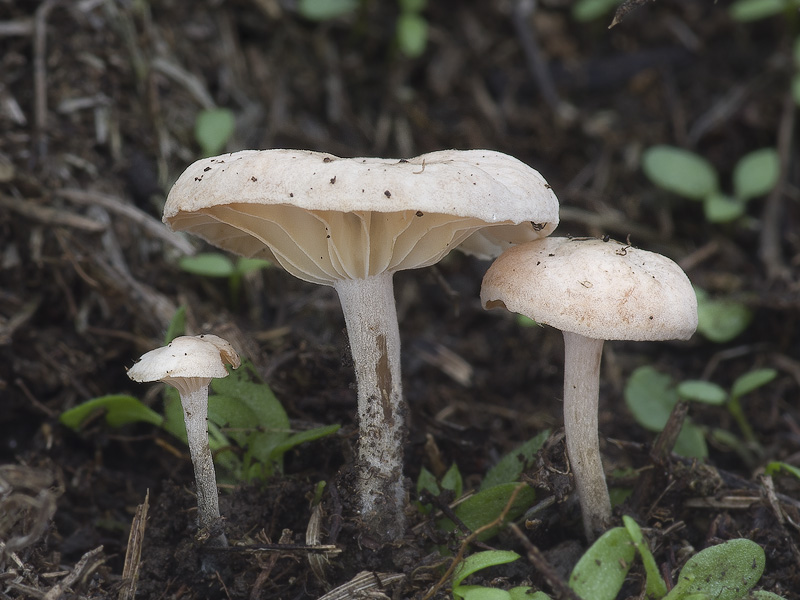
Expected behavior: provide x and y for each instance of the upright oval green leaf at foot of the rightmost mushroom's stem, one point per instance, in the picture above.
(601, 570)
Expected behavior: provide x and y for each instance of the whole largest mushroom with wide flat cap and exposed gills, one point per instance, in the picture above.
(350, 224)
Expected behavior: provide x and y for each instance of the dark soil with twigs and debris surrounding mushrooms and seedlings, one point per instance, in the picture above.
(98, 101)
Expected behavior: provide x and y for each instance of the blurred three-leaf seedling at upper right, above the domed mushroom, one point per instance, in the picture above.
(691, 176)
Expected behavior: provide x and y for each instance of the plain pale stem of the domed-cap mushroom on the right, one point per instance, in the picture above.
(581, 393)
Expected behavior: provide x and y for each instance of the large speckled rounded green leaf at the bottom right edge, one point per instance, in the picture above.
(723, 572)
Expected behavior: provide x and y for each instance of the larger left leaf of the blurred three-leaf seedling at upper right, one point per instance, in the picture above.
(680, 171)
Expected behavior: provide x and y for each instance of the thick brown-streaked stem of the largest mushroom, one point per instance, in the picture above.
(371, 319)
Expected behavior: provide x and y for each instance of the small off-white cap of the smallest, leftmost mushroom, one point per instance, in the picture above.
(203, 357)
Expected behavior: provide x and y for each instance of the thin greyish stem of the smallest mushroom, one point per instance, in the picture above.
(194, 400)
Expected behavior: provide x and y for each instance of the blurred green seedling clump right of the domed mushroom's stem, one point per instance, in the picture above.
(651, 396)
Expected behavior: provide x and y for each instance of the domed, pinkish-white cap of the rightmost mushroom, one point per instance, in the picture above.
(597, 289)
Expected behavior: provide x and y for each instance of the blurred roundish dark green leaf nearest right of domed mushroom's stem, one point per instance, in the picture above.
(650, 396)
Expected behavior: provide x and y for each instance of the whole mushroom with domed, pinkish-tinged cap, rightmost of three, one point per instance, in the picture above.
(592, 290)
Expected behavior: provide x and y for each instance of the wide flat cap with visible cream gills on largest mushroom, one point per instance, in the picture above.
(325, 218)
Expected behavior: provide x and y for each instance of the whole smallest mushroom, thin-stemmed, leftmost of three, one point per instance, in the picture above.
(188, 364)
